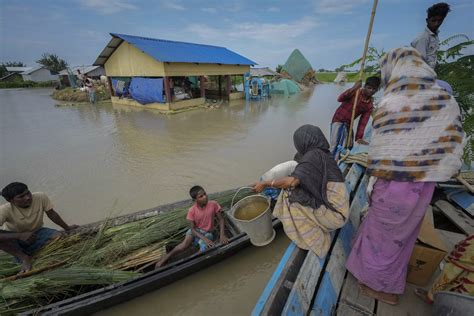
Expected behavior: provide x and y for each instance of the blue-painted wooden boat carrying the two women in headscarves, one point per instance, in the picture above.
(304, 284)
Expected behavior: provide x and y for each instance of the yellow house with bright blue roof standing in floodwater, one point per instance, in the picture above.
(170, 75)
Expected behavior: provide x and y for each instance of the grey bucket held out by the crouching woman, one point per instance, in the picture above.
(258, 227)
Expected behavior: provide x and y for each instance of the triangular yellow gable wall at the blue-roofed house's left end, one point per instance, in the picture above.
(129, 61)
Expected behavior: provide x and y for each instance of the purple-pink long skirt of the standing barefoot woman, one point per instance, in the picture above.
(385, 239)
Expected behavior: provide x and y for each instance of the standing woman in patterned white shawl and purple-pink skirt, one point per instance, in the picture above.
(417, 141)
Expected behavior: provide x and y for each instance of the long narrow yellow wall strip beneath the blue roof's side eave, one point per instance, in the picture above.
(189, 69)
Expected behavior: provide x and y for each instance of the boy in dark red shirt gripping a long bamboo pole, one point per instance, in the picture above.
(342, 118)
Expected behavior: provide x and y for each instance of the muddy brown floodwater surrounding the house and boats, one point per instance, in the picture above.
(100, 161)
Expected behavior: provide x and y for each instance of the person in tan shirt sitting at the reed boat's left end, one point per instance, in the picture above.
(23, 233)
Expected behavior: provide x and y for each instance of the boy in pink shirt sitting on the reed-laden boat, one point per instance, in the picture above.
(201, 219)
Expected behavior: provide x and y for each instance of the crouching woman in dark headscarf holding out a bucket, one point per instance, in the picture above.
(315, 200)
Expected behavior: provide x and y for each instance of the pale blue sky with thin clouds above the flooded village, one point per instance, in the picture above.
(328, 32)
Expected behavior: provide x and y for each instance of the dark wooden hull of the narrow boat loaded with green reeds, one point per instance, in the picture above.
(114, 294)
